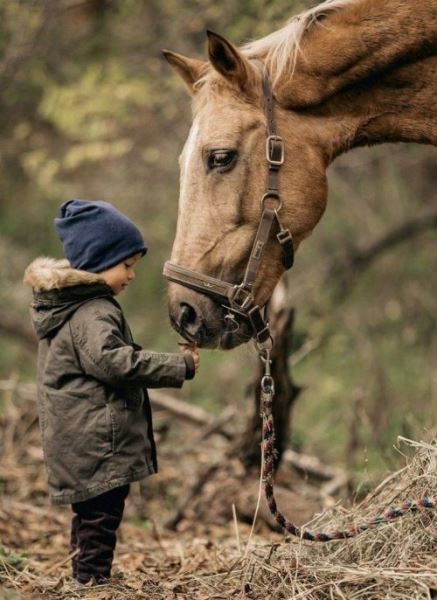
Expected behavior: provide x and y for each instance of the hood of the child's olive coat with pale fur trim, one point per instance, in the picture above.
(58, 291)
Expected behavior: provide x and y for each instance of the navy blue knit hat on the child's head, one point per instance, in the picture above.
(96, 236)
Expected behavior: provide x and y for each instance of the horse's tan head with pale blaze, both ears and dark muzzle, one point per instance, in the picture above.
(223, 178)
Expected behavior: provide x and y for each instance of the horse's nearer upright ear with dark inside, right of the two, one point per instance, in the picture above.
(229, 61)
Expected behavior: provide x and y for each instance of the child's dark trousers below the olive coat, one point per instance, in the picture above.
(93, 532)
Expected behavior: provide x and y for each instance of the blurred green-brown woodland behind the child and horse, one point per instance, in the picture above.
(90, 109)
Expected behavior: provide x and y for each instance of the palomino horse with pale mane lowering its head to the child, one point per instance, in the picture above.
(347, 73)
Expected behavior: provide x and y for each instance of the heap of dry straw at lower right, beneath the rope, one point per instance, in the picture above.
(396, 561)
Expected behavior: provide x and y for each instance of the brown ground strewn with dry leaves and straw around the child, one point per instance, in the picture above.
(211, 552)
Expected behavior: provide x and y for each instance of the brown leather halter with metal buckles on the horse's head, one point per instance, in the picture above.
(239, 298)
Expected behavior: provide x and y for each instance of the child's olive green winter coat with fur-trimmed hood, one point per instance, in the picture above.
(93, 405)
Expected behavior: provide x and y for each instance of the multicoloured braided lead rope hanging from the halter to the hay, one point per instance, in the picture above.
(268, 447)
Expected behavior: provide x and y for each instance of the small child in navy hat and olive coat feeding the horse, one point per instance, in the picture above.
(93, 406)
